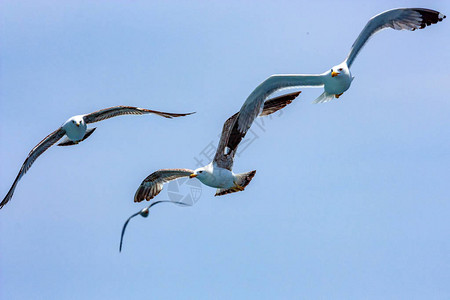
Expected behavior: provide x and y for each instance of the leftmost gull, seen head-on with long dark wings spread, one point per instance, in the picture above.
(75, 131)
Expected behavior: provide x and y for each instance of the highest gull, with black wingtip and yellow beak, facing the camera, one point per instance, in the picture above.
(336, 80)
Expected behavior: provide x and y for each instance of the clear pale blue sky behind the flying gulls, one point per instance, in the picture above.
(350, 200)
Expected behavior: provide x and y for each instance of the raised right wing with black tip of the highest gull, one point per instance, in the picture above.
(398, 19)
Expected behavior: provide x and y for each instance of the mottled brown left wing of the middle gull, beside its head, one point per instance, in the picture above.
(153, 184)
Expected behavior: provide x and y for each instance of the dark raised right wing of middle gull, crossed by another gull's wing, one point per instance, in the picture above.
(231, 136)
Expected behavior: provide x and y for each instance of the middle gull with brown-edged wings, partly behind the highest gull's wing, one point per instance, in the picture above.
(218, 173)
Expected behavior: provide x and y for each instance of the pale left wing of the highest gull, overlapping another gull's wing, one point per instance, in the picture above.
(253, 105)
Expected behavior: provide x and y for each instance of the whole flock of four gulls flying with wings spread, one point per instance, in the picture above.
(219, 174)
